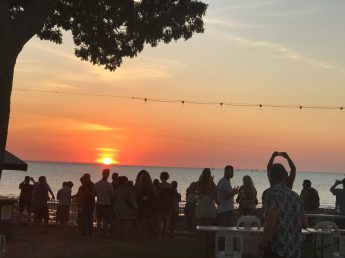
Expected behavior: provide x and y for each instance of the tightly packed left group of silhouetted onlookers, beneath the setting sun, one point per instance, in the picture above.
(123, 208)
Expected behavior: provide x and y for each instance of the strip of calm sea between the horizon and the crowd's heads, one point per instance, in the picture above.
(57, 172)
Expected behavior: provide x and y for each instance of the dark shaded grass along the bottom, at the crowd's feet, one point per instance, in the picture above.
(54, 242)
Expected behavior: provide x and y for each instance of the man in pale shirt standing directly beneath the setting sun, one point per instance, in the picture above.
(104, 193)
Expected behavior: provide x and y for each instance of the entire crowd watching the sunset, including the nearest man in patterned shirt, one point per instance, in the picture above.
(149, 208)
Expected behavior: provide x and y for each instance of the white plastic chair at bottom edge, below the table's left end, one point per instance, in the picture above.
(228, 245)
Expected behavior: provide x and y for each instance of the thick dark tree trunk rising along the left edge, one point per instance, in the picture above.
(14, 34)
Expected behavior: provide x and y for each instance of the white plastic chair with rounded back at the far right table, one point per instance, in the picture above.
(328, 240)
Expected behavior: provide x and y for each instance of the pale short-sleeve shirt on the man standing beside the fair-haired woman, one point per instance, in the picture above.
(224, 186)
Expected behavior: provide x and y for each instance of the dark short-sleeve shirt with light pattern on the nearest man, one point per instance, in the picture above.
(288, 229)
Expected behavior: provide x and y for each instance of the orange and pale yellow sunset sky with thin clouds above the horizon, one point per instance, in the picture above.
(270, 52)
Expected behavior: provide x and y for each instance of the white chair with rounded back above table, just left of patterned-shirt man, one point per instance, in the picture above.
(250, 240)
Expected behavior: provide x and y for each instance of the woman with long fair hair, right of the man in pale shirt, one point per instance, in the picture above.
(246, 197)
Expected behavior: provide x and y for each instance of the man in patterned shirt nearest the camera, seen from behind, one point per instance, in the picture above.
(284, 216)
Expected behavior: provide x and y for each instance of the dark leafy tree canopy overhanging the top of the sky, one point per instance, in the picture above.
(105, 31)
